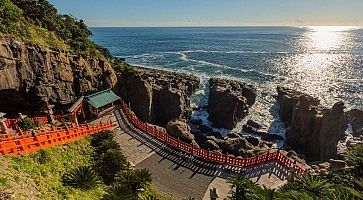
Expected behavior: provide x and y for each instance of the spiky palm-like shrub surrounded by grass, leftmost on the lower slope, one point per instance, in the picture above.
(82, 177)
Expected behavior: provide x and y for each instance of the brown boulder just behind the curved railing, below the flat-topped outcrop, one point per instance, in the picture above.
(180, 129)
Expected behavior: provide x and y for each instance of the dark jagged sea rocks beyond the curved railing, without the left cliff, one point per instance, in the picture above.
(313, 131)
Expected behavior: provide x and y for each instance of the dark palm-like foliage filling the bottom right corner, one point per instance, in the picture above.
(335, 186)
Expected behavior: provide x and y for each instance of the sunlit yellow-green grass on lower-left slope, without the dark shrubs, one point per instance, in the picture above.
(39, 175)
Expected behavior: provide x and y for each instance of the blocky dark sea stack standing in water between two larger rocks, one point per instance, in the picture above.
(229, 101)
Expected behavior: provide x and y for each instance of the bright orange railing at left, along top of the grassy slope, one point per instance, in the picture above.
(43, 139)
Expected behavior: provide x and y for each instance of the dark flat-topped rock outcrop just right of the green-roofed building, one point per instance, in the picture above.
(158, 96)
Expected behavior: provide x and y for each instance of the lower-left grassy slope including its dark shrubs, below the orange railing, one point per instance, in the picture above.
(79, 170)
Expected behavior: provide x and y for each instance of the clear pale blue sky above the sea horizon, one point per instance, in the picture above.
(165, 13)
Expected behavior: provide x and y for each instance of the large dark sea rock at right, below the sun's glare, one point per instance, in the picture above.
(311, 128)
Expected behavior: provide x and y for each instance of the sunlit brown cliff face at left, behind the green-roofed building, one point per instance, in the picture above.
(31, 75)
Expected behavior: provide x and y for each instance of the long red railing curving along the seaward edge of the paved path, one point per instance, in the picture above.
(209, 155)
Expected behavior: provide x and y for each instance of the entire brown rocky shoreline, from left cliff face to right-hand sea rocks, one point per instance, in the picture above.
(34, 76)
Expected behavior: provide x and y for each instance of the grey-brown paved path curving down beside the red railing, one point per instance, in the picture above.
(182, 175)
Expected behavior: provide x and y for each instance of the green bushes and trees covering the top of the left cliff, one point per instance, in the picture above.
(38, 22)
